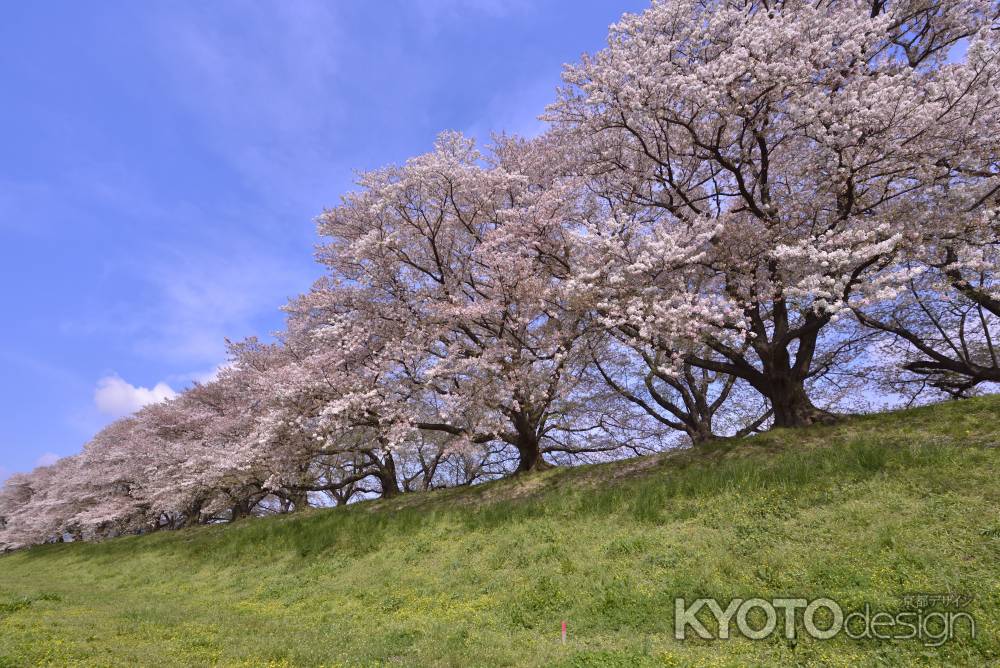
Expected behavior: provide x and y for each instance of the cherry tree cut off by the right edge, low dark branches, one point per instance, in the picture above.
(944, 322)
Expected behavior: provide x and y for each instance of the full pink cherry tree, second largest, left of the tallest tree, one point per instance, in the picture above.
(456, 259)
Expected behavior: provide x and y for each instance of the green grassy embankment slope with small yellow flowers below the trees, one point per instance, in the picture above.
(860, 512)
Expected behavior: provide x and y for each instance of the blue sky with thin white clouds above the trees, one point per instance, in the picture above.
(162, 163)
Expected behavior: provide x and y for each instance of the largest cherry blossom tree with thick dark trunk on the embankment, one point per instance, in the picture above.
(763, 165)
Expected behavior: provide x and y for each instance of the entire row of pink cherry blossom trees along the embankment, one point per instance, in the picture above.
(743, 215)
